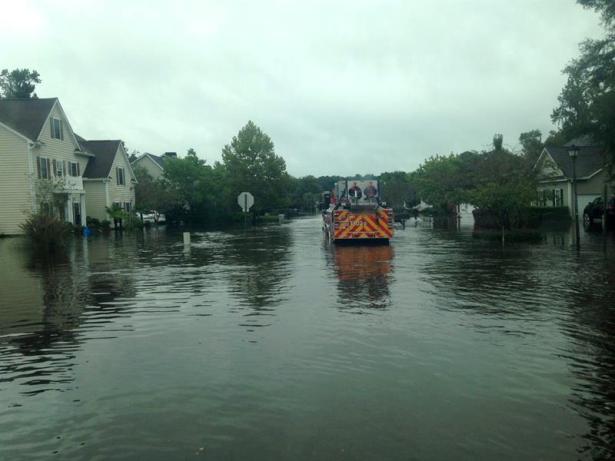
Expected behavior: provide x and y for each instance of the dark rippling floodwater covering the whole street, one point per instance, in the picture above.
(269, 344)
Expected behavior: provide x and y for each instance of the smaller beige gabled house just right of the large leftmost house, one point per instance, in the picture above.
(108, 178)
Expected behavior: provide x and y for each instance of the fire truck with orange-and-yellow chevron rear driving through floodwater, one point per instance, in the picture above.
(356, 214)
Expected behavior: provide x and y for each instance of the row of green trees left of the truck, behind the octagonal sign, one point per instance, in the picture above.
(195, 192)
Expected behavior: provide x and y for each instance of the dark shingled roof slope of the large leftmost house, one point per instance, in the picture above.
(26, 116)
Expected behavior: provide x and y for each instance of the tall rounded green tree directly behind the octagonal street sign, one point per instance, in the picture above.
(251, 165)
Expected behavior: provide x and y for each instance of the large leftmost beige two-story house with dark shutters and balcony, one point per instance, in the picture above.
(41, 163)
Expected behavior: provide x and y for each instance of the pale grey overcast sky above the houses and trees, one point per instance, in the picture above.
(342, 87)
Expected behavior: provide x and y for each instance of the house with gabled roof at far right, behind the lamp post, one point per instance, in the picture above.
(554, 170)
